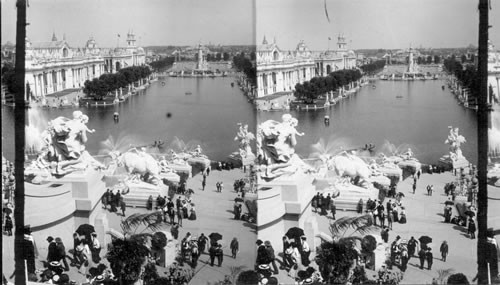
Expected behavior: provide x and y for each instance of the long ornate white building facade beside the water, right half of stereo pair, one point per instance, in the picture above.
(279, 71)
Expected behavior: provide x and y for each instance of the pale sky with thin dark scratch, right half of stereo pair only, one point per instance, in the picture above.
(388, 24)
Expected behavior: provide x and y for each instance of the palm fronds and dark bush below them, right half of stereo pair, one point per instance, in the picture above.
(336, 259)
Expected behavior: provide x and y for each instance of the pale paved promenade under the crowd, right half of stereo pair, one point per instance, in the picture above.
(425, 217)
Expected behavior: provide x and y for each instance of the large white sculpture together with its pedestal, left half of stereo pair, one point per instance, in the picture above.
(63, 184)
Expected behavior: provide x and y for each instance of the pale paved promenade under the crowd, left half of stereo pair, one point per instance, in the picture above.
(214, 214)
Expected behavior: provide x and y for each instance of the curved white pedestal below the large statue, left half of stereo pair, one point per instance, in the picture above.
(60, 205)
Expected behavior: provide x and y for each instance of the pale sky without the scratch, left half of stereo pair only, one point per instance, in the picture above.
(155, 22)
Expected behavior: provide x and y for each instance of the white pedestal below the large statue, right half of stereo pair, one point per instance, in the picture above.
(285, 202)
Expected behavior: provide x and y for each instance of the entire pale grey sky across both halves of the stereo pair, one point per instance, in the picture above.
(366, 23)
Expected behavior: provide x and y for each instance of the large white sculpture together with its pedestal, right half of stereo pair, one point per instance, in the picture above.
(285, 183)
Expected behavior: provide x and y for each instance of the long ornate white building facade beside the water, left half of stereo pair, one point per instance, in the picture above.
(55, 66)
